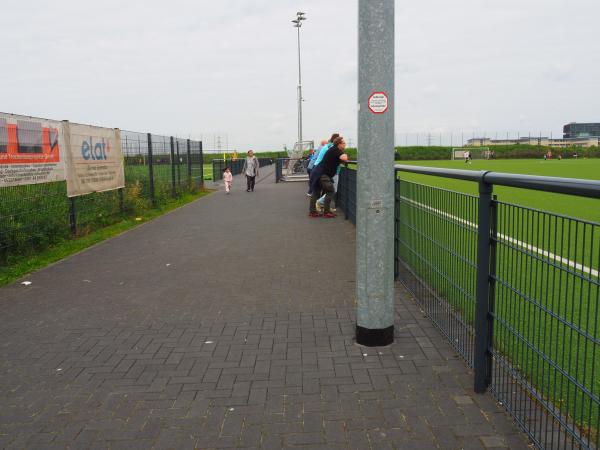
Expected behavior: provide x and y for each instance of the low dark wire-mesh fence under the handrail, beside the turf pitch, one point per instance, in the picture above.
(516, 291)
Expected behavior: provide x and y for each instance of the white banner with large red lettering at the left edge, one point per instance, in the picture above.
(31, 150)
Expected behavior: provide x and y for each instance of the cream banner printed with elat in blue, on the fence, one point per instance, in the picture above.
(94, 159)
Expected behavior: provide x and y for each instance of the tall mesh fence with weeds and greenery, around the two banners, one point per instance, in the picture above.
(157, 169)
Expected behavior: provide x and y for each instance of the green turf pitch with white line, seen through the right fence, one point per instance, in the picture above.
(547, 291)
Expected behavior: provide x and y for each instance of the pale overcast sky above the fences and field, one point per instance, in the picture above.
(229, 67)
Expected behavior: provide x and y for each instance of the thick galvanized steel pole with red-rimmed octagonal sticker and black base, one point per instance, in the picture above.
(375, 184)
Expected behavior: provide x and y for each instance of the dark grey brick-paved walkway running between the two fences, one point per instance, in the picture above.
(227, 324)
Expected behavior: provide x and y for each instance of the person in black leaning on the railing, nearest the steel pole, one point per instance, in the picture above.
(322, 177)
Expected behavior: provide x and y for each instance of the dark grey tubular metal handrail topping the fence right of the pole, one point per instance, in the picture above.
(571, 186)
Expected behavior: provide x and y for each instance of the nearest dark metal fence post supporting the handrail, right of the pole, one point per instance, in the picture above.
(482, 356)
